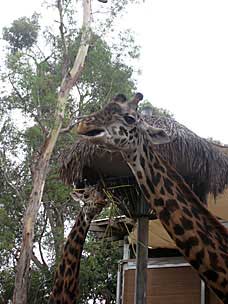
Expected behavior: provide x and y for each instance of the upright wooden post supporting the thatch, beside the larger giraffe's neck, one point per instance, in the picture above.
(141, 260)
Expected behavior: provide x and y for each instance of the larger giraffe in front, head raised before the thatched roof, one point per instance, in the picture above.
(199, 236)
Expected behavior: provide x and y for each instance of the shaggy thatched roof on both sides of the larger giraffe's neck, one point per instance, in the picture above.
(203, 166)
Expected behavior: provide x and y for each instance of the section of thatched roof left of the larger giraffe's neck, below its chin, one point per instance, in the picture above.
(86, 162)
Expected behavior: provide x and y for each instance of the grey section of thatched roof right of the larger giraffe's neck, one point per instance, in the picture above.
(201, 163)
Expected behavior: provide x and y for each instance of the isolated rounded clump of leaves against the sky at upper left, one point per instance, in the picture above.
(22, 34)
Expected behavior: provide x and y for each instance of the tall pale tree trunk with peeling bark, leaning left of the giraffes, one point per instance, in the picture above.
(42, 165)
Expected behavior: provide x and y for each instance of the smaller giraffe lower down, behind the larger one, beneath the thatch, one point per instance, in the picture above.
(66, 282)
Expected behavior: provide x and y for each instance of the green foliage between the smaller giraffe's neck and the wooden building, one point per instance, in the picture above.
(99, 267)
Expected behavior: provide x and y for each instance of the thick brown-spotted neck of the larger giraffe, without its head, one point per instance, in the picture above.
(200, 237)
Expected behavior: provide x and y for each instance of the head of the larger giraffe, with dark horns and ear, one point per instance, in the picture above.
(119, 126)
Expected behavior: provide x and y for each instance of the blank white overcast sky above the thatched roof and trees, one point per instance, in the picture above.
(184, 57)
